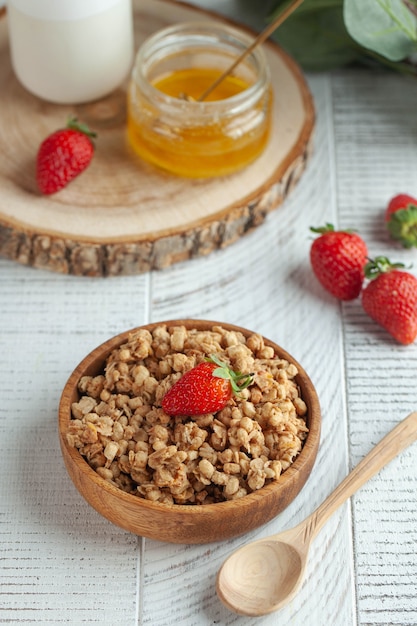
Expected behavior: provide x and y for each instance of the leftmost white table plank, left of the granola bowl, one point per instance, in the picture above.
(60, 562)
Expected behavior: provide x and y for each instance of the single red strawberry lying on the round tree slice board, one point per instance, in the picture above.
(63, 155)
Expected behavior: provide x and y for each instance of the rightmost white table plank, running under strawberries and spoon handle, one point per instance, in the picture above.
(375, 129)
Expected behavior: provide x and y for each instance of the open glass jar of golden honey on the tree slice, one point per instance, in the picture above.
(167, 124)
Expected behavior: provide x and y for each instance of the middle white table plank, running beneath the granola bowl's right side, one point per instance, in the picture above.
(270, 287)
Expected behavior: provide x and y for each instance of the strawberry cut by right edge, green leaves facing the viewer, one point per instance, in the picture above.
(401, 218)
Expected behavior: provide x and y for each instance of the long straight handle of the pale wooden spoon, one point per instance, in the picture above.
(388, 448)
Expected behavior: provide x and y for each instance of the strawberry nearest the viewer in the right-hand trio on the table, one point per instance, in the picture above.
(390, 298)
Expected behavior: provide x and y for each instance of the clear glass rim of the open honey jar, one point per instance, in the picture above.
(214, 31)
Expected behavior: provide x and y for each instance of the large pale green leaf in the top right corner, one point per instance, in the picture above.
(388, 27)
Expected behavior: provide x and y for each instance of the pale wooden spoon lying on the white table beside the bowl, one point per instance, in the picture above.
(263, 576)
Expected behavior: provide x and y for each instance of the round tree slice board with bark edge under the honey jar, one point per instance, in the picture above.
(122, 216)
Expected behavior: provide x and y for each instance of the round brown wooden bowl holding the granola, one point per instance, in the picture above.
(178, 523)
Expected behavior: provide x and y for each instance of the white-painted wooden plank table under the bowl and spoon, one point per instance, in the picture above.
(61, 563)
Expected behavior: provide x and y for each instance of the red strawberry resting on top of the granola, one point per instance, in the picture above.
(205, 389)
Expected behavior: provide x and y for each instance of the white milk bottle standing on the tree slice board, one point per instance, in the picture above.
(71, 51)
